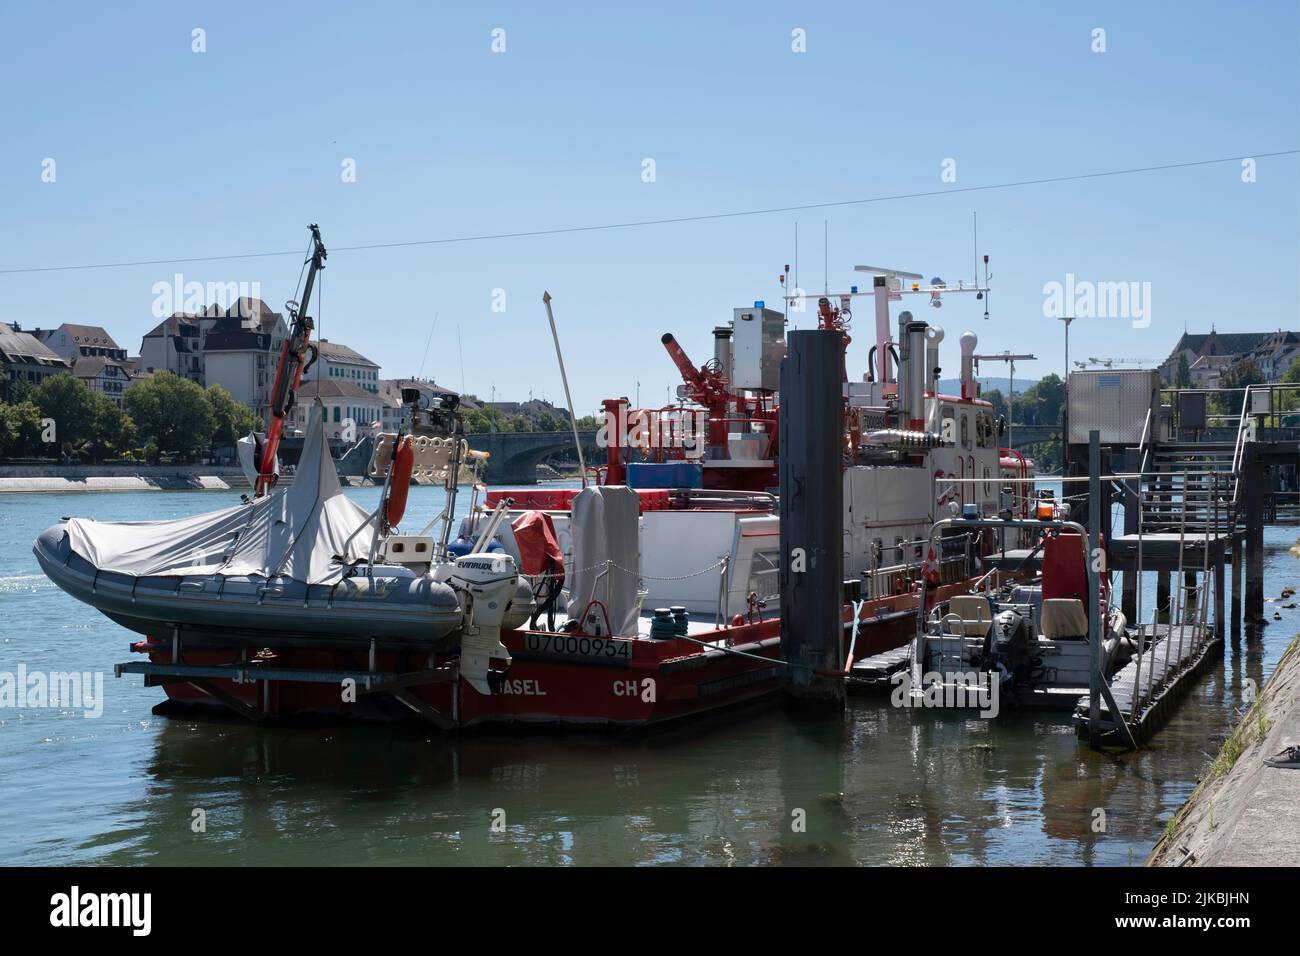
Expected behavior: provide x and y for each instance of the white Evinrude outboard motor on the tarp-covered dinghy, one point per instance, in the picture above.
(487, 585)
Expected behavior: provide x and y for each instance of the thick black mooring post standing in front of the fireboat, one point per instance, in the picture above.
(812, 572)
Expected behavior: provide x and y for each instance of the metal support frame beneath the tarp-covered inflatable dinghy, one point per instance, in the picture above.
(259, 669)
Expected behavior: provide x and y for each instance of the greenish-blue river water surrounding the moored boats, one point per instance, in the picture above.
(874, 786)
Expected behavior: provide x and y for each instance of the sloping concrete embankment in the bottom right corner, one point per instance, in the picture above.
(1245, 814)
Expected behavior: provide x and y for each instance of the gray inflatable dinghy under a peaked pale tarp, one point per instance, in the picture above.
(293, 564)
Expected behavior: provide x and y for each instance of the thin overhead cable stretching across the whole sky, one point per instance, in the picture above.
(674, 220)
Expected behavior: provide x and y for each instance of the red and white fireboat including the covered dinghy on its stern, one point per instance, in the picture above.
(644, 599)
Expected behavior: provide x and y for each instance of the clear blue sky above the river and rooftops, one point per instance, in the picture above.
(163, 153)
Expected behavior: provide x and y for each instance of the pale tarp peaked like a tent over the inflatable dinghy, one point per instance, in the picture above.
(297, 533)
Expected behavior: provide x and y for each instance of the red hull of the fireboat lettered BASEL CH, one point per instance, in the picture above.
(554, 678)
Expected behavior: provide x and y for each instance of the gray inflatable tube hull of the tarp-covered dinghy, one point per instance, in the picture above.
(391, 604)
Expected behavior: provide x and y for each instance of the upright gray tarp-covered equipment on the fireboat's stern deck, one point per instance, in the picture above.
(606, 534)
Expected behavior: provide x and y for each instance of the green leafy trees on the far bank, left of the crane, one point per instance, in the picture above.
(162, 417)
